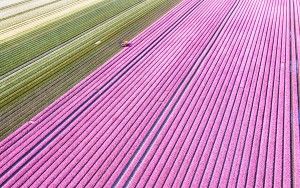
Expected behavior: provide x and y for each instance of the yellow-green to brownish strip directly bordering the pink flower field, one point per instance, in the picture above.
(44, 84)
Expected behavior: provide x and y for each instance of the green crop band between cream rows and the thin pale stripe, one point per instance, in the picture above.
(15, 52)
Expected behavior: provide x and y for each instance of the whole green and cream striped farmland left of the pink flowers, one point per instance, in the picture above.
(46, 54)
